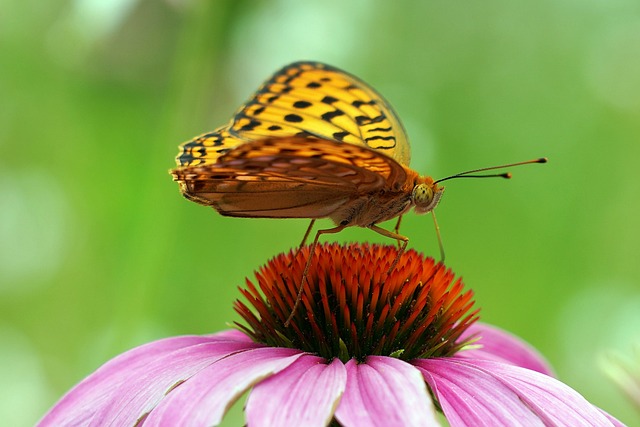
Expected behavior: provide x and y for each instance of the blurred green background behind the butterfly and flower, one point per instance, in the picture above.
(99, 252)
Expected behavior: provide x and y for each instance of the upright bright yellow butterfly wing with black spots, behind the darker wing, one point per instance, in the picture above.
(307, 99)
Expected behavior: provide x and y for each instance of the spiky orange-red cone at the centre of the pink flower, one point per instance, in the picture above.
(352, 306)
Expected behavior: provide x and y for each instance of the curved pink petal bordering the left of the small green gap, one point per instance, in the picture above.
(205, 398)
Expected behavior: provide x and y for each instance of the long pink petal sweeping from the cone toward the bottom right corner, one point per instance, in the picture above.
(481, 392)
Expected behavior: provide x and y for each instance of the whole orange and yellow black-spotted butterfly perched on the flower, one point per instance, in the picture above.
(313, 142)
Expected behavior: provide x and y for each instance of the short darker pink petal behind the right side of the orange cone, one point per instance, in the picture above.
(501, 346)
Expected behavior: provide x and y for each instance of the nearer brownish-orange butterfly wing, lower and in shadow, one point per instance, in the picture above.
(290, 177)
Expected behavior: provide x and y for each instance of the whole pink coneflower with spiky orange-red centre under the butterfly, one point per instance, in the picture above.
(365, 348)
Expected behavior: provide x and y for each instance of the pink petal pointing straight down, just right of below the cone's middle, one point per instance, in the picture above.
(385, 391)
